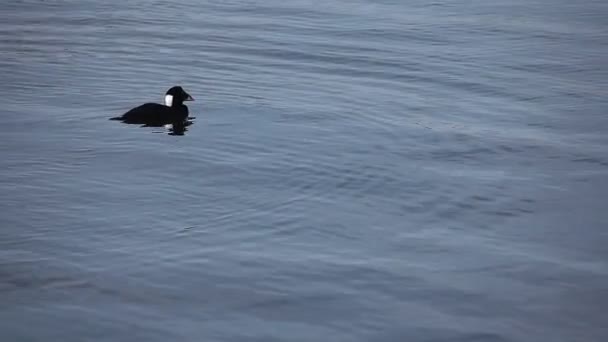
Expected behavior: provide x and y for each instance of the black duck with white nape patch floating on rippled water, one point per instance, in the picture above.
(154, 114)
